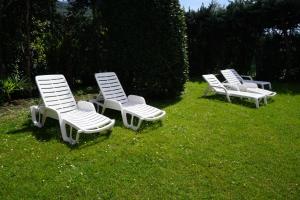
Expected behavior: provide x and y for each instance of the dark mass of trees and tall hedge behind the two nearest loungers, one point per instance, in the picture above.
(145, 46)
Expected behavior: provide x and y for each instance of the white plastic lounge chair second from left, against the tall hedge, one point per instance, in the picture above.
(113, 96)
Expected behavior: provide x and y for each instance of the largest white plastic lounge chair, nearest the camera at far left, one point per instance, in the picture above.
(59, 103)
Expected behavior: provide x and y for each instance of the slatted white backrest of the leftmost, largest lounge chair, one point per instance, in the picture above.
(56, 93)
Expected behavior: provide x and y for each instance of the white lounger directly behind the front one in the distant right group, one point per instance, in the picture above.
(235, 84)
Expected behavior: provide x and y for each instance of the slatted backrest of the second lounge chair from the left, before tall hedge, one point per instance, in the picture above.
(111, 87)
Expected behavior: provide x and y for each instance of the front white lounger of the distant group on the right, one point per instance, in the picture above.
(216, 86)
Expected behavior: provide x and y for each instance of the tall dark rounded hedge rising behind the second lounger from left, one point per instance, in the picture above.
(147, 45)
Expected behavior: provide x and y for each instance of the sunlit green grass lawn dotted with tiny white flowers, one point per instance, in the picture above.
(205, 148)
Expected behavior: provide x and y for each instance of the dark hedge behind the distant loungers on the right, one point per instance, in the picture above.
(254, 36)
